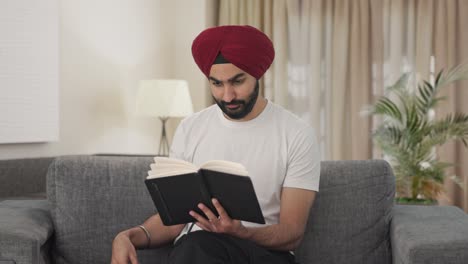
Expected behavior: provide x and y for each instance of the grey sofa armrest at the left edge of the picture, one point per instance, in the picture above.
(25, 229)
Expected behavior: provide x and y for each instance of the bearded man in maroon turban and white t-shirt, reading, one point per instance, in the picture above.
(278, 149)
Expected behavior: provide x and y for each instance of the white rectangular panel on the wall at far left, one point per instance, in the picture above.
(29, 71)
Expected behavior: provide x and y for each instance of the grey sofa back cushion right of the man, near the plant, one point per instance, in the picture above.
(349, 221)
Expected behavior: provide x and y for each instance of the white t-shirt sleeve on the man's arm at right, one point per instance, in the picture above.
(303, 170)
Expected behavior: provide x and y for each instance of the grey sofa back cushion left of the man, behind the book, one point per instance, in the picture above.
(93, 198)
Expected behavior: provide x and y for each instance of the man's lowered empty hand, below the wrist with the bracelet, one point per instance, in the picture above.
(123, 251)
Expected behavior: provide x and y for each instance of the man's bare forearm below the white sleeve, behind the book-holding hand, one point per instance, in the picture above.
(276, 237)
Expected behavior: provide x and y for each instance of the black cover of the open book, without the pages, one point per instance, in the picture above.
(175, 196)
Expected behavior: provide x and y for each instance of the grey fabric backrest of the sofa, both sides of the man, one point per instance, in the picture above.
(95, 197)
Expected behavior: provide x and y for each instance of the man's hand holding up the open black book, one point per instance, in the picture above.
(222, 224)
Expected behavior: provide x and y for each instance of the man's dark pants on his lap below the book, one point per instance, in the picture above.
(206, 247)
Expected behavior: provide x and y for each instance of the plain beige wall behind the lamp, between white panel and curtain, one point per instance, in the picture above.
(106, 47)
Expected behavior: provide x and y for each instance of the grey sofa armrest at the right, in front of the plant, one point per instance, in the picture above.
(429, 234)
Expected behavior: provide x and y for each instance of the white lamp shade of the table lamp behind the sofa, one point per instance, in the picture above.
(164, 98)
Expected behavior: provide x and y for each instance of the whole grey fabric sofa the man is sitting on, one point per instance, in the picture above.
(354, 220)
